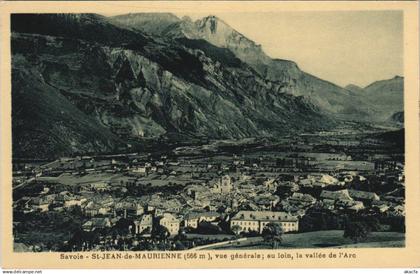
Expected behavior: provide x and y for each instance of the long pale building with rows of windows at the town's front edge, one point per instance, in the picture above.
(248, 221)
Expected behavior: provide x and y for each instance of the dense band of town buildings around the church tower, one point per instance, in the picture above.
(239, 201)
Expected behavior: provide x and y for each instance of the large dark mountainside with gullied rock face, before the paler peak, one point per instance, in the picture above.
(100, 90)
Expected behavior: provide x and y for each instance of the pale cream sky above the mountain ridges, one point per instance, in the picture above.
(344, 47)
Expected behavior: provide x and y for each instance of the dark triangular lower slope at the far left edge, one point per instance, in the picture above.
(46, 123)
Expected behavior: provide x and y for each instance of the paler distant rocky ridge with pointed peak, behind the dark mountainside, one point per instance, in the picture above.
(327, 96)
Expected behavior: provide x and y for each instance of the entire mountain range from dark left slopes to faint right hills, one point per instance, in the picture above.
(86, 83)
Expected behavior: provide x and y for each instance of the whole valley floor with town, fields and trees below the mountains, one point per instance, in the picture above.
(218, 195)
